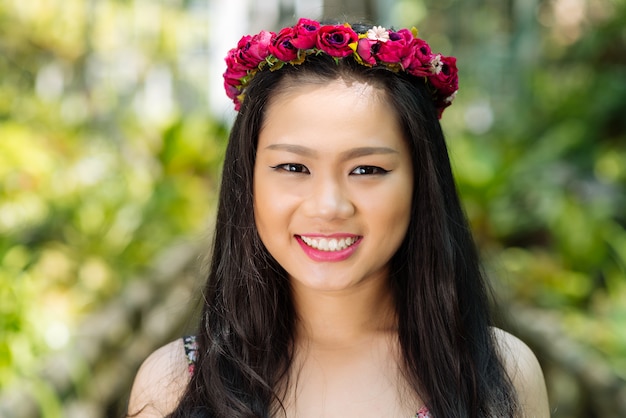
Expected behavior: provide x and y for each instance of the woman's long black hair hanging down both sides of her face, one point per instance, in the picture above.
(246, 333)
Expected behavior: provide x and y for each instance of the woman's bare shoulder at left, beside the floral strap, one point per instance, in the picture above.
(160, 382)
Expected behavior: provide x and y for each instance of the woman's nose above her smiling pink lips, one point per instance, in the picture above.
(328, 199)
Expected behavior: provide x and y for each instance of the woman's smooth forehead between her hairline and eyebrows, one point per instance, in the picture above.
(333, 114)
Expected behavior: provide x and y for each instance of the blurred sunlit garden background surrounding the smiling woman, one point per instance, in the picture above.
(112, 130)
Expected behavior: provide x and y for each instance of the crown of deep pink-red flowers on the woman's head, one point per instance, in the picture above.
(398, 51)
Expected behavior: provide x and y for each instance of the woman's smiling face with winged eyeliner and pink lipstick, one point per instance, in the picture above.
(332, 184)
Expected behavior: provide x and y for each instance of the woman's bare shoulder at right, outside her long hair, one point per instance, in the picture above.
(525, 372)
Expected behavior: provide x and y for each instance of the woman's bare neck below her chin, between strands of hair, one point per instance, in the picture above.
(335, 319)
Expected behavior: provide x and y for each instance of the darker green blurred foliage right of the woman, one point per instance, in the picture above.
(545, 183)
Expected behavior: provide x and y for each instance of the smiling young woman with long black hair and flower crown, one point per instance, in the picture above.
(344, 279)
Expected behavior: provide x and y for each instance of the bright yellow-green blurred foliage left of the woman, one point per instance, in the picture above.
(94, 178)
